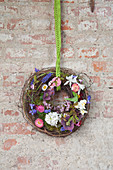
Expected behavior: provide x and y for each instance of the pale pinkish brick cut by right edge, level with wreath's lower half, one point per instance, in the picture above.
(108, 111)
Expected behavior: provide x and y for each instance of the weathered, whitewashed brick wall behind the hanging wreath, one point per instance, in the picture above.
(27, 41)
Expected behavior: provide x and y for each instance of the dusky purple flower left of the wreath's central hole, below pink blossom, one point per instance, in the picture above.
(48, 93)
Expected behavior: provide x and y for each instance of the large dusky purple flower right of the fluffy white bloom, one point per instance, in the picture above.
(67, 125)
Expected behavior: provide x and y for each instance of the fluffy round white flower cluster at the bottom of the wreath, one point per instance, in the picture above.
(52, 118)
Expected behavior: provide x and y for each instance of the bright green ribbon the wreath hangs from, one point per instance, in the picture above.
(57, 16)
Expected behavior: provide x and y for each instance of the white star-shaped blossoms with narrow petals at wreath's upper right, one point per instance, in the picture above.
(71, 79)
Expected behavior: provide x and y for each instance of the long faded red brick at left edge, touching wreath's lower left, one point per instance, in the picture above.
(16, 128)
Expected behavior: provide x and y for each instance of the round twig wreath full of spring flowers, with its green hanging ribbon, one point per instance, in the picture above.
(39, 95)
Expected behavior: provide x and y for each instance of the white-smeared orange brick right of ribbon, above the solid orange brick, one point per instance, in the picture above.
(88, 53)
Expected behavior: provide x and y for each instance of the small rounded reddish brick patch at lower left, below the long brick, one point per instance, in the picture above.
(8, 144)
